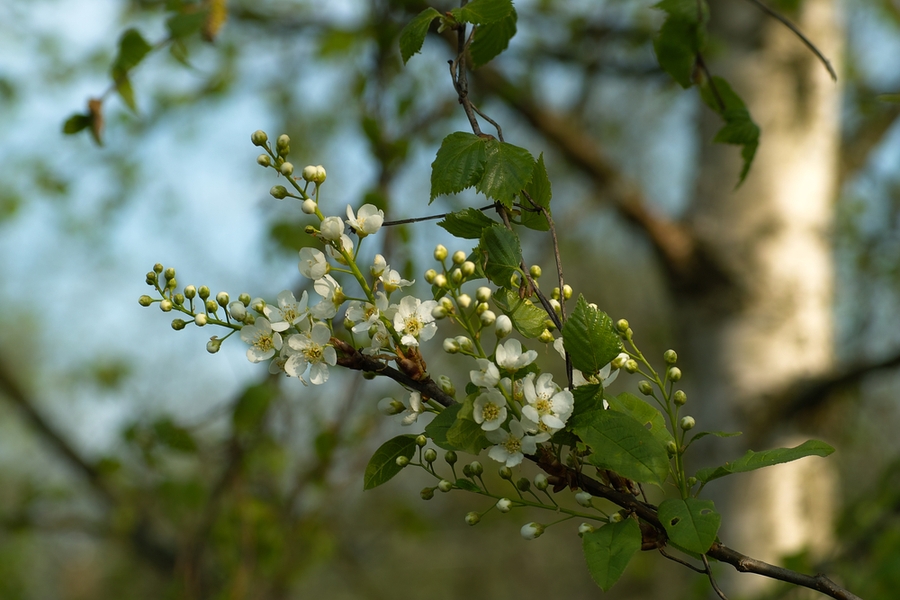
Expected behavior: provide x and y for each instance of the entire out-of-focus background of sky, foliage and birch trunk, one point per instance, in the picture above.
(135, 465)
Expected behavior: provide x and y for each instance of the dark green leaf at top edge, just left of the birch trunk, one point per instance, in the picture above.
(681, 37)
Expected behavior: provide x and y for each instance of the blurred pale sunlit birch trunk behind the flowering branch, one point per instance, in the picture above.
(768, 322)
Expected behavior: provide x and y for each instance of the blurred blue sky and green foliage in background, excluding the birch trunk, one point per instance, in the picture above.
(134, 465)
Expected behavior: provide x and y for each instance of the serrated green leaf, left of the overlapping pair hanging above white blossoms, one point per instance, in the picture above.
(459, 164)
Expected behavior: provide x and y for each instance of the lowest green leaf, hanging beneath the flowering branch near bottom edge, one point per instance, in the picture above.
(609, 549)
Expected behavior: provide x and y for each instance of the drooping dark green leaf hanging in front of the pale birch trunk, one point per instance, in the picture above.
(739, 128)
